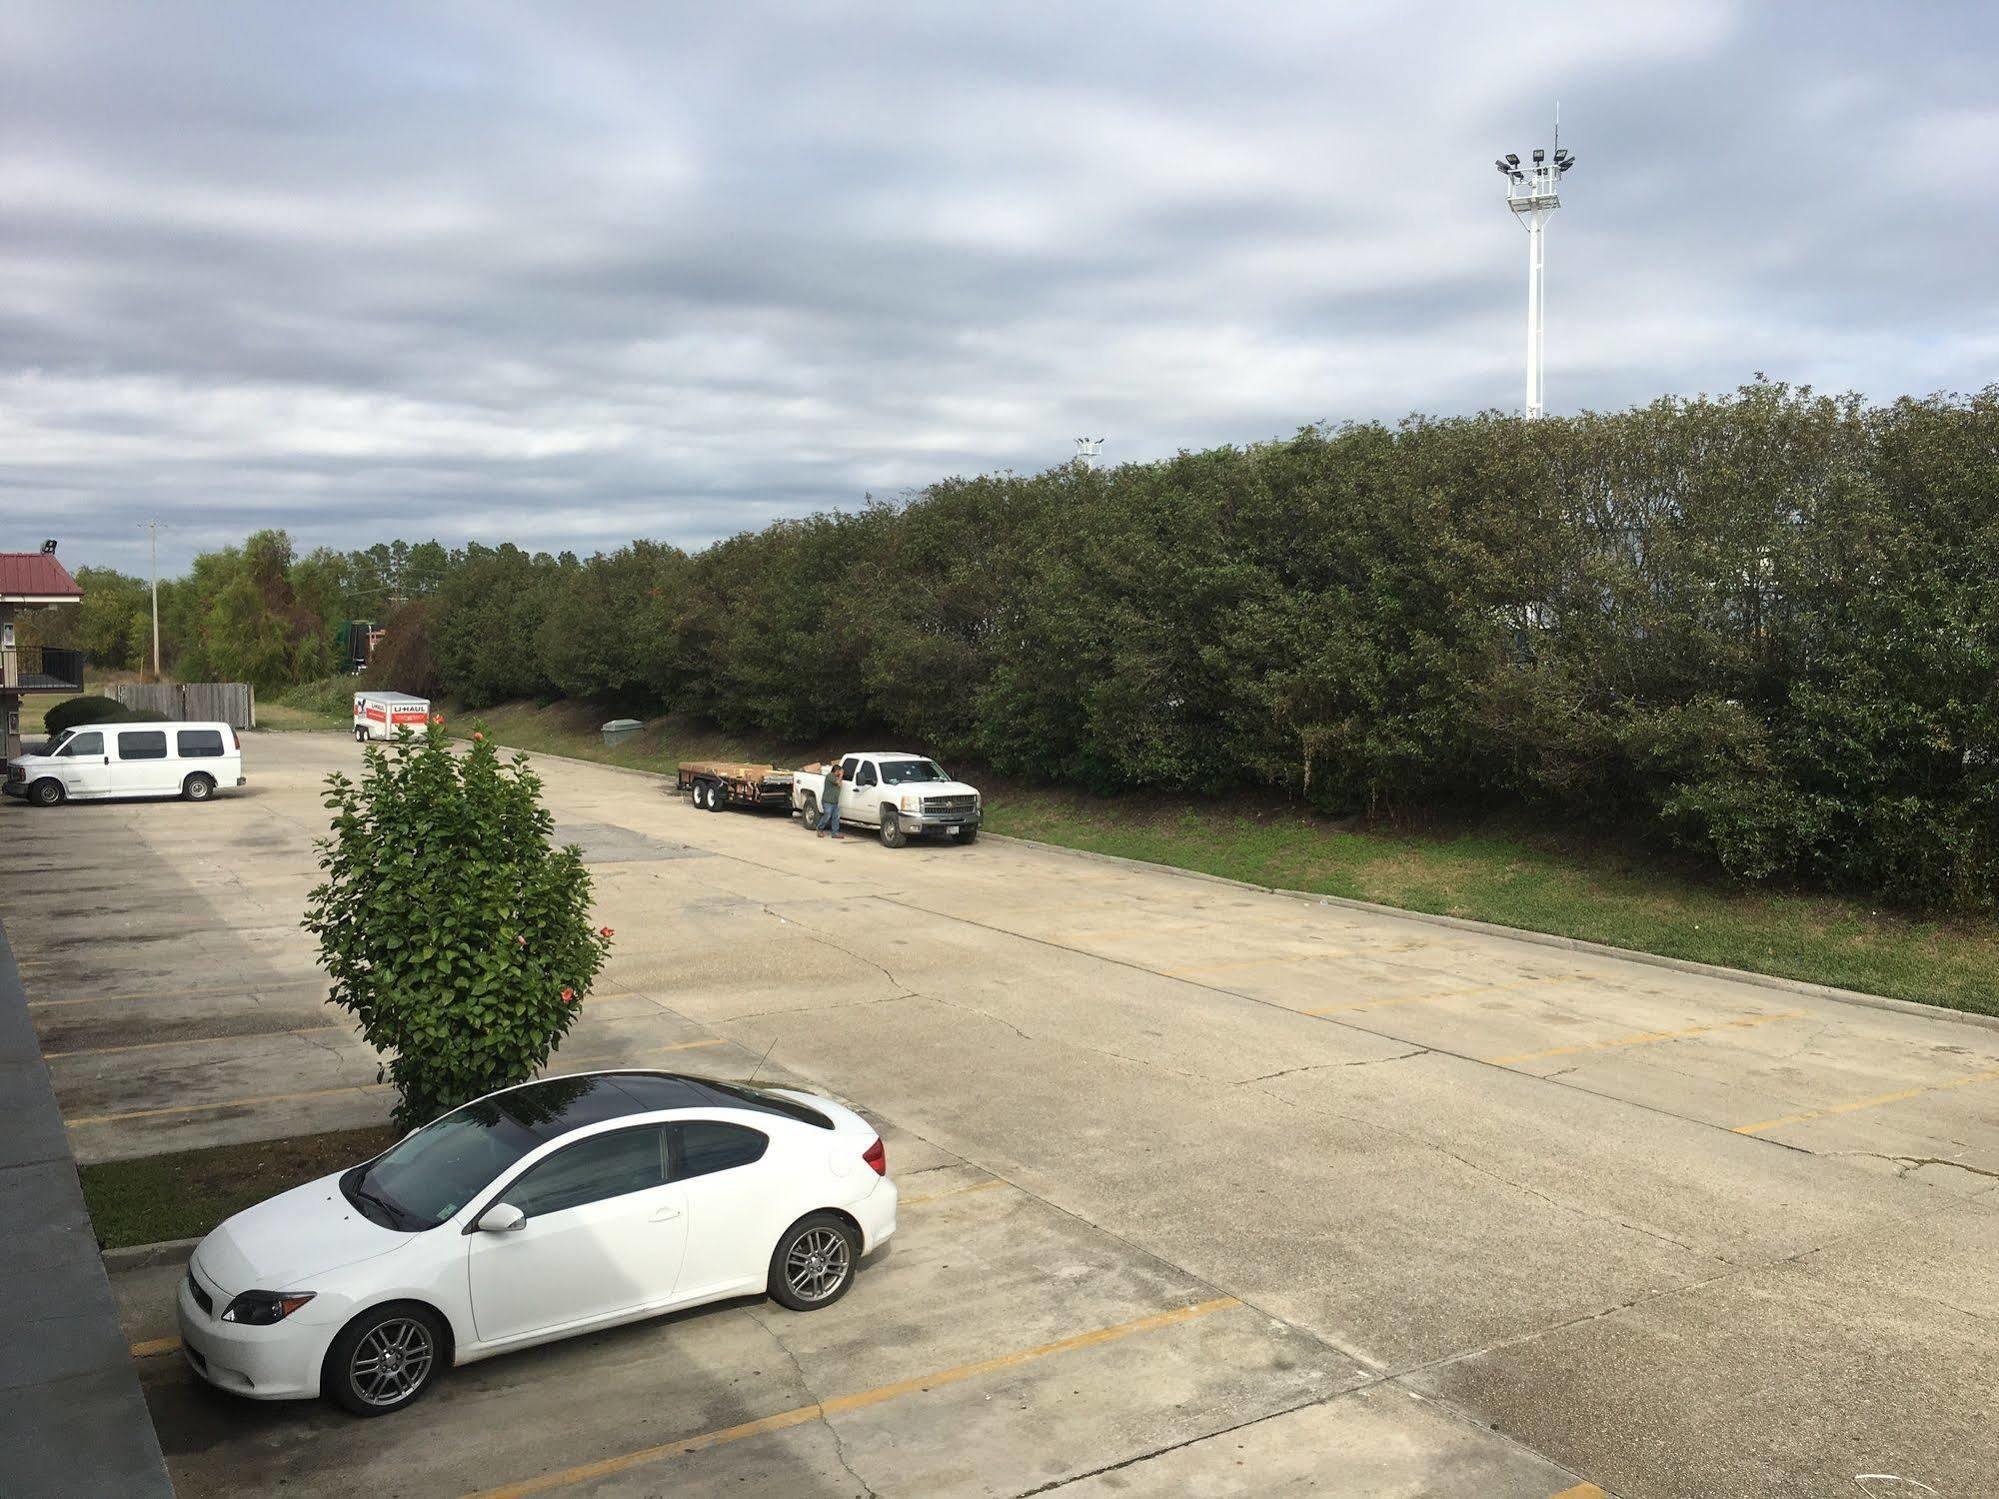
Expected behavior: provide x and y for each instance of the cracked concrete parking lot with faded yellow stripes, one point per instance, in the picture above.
(1208, 1190)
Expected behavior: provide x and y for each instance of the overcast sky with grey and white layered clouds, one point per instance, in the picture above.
(571, 275)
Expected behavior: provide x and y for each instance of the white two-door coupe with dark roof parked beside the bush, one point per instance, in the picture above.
(535, 1214)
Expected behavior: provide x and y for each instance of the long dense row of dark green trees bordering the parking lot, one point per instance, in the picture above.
(1760, 627)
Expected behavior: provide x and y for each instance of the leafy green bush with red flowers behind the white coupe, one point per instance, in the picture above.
(449, 924)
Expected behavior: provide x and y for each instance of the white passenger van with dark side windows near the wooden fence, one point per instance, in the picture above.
(103, 762)
